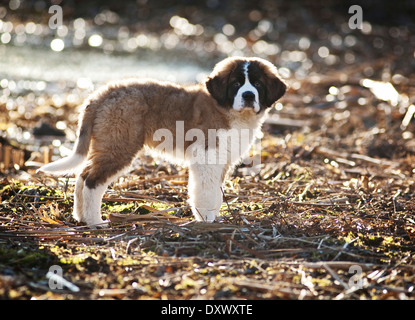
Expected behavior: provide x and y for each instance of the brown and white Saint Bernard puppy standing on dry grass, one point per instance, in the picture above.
(125, 116)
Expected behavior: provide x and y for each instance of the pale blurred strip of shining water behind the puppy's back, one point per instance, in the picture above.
(87, 67)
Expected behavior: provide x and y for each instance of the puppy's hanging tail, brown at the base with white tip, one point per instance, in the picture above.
(72, 163)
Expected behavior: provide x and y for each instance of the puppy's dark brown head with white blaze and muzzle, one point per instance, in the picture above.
(241, 83)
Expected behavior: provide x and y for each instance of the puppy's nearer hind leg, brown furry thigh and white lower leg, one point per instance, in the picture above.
(116, 141)
